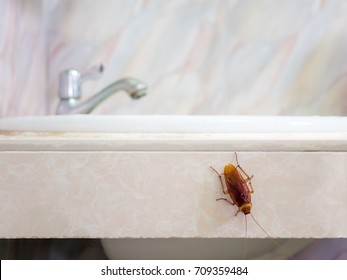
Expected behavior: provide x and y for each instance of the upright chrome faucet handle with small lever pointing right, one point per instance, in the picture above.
(70, 81)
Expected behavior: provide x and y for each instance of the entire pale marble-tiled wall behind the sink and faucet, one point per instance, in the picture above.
(197, 56)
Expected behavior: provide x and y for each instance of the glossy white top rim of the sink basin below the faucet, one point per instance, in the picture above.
(176, 124)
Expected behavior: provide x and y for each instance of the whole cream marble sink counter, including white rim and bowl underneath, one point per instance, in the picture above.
(144, 183)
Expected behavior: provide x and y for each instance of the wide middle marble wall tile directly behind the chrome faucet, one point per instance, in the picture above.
(174, 46)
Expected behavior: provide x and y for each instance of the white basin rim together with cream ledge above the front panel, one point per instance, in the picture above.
(175, 133)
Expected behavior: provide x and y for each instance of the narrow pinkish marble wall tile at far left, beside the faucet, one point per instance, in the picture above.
(22, 58)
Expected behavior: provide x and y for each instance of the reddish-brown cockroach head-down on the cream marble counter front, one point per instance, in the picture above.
(239, 187)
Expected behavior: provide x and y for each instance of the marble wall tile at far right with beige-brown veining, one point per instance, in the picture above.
(286, 57)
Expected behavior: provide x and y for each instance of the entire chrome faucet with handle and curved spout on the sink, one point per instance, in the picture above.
(70, 82)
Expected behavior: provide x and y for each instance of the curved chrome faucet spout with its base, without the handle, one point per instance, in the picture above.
(135, 88)
